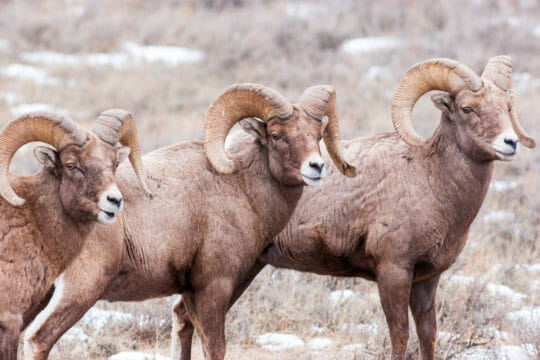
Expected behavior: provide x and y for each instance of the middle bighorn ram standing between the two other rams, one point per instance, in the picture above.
(204, 228)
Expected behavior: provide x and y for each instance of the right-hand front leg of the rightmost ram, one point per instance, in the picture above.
(422, 303)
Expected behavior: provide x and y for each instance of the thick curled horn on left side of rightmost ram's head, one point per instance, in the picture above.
(434, 74)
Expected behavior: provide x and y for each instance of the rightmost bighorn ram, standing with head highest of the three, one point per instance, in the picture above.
(405, 219)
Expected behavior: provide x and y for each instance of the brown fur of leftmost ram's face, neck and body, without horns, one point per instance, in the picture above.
(40, 238)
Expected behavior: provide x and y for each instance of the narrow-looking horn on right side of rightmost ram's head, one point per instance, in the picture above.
(499, 71)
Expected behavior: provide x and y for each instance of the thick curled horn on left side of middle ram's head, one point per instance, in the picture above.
(234, 104)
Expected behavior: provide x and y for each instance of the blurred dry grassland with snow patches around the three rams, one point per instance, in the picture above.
(166, 61)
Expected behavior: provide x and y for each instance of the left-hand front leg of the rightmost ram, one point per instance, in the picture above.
(394, 283)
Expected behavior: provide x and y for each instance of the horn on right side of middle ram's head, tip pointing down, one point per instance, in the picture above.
(318, 101)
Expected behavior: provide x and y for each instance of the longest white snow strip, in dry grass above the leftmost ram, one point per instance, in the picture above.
(131, 53)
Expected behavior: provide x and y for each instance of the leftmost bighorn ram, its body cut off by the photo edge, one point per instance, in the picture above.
(45, 218)
